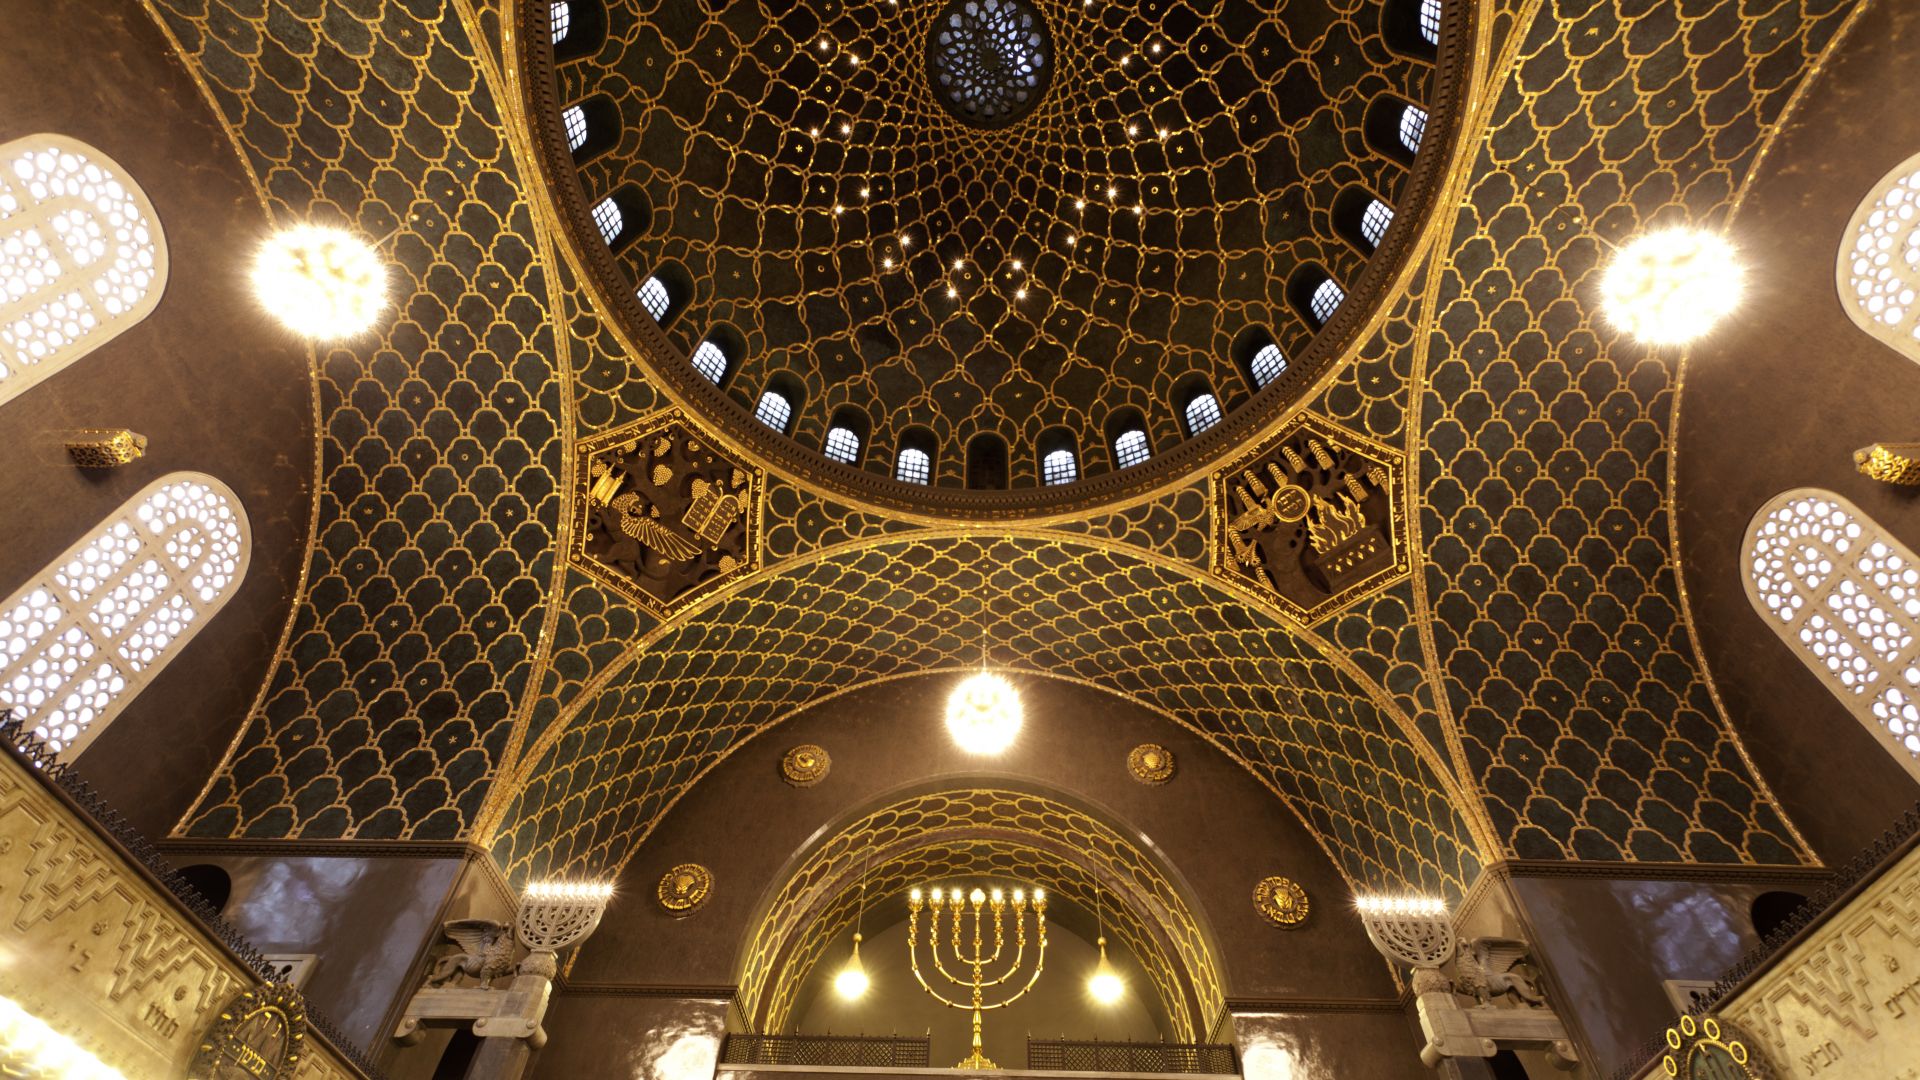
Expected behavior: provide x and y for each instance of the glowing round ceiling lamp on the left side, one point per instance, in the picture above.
(324, 283)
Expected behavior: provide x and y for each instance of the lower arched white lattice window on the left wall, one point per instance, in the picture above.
(87, 633)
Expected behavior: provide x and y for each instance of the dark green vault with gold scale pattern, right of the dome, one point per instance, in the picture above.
(1581, 706)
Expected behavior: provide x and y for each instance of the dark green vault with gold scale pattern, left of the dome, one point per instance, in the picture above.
(441, 441)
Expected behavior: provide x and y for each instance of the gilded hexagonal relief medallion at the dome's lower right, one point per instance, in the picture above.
(1355, 466)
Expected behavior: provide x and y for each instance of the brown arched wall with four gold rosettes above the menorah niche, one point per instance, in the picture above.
(1212, 823)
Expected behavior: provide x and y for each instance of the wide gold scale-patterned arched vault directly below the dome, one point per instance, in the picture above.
(1305, 725)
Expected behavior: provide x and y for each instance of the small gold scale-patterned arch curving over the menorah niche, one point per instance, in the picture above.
(971, 835)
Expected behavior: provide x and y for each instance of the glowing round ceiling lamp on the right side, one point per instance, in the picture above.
(1673, 285)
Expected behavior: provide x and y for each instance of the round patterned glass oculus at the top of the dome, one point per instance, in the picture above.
(990, 61)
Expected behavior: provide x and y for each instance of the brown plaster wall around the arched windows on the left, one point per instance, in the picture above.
(204, 378)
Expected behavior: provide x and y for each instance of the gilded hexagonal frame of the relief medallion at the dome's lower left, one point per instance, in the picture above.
(748, 485)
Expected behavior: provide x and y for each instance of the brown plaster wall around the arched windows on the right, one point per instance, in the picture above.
(1779, 399)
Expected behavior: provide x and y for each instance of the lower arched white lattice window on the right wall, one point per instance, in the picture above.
(1846, 597)
